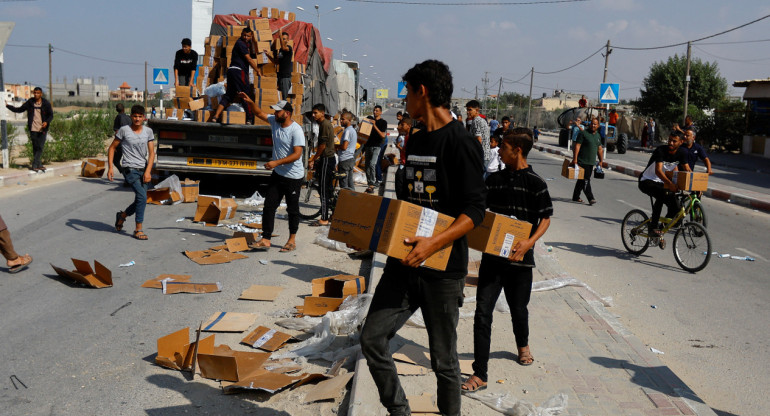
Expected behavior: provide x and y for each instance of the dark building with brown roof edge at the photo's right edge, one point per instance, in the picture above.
(756, 140)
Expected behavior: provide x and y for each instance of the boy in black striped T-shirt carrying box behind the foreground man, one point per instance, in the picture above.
(520, 192)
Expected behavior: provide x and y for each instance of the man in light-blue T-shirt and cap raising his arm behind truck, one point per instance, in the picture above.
(288, 171)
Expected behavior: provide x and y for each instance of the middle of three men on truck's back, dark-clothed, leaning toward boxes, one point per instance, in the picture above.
(238, 72)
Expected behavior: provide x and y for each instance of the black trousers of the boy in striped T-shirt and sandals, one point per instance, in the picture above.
(494, 277)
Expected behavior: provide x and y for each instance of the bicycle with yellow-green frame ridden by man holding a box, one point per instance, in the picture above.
(692, 245)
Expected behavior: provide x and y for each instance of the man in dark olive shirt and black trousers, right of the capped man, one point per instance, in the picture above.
(327, 163)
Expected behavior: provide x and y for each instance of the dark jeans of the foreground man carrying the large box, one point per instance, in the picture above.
(400, 292)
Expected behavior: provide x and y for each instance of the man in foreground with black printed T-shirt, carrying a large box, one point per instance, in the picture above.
(441, 173)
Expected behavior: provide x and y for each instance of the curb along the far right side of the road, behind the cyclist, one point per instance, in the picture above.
(729, 194)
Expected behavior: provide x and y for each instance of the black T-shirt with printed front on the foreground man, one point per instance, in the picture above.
(443, 172)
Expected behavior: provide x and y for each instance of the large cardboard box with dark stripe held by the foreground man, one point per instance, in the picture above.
(381, 225)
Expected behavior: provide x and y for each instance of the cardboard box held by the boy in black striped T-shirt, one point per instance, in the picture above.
(497, 234)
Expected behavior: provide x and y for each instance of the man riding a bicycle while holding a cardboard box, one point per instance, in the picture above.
(655, 183)
